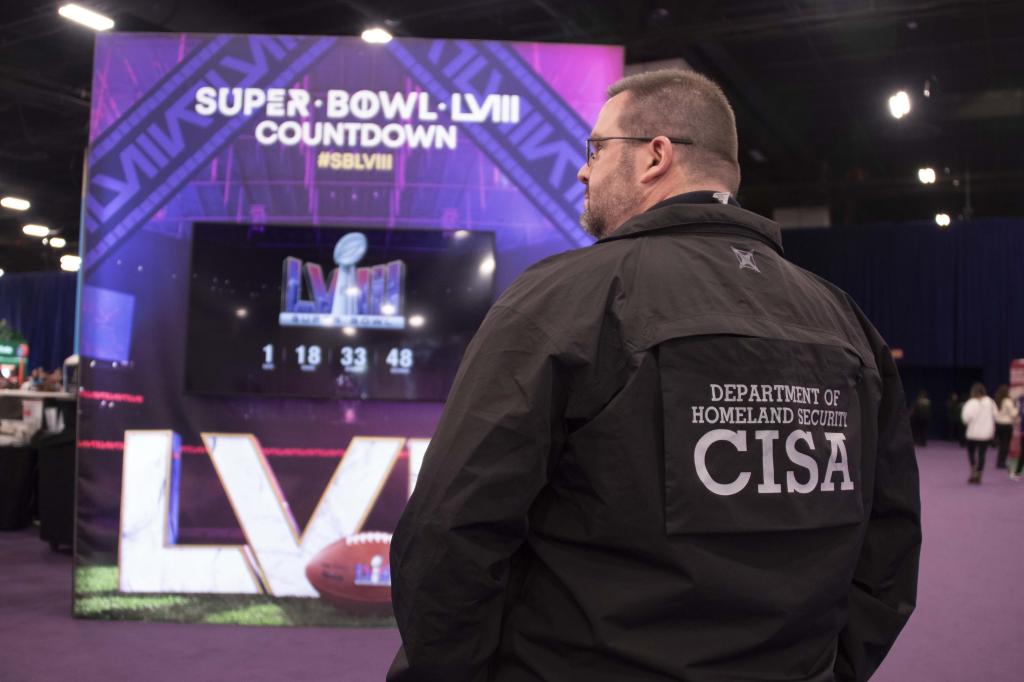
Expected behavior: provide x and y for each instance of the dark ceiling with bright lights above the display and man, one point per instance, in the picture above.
(809, 81)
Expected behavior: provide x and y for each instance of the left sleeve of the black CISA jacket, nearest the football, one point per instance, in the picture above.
(468, 516)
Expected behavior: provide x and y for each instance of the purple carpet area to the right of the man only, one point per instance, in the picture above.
(970, 619)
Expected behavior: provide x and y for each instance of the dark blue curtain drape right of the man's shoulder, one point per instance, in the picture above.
(949, 299)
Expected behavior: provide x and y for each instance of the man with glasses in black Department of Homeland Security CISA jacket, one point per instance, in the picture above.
(669, 456)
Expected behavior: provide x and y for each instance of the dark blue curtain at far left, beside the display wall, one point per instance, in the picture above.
(41, 308)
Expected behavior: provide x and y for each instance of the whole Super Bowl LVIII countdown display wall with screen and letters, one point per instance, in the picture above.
(288, 244)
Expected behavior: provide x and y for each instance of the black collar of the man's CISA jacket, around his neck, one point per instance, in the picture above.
(709, 218)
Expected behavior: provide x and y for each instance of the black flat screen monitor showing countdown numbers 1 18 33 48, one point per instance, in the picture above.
(333, 313)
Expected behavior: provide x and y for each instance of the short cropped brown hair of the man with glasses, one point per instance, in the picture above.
(685, 104)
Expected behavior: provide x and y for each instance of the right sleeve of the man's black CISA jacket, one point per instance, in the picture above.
(885, 585)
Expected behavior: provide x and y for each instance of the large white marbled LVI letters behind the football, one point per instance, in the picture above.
(277, 553)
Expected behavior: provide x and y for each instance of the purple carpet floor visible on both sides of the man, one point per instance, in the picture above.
(967, 627)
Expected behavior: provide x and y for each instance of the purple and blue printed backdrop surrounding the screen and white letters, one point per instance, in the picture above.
(433, 135)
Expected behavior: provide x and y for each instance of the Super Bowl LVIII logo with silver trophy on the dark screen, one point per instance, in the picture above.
(370, 297)
